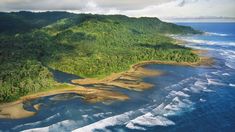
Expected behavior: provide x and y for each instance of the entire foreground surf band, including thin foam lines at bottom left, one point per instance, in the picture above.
(177, 101)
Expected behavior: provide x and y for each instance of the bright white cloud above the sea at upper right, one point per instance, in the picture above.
(189, 8)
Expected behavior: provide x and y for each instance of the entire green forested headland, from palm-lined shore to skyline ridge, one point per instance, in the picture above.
(82, 44)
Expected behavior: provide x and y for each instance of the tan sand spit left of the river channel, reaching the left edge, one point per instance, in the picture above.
(15, 110)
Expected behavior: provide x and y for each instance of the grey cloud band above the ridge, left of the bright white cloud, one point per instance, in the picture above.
(76, 4)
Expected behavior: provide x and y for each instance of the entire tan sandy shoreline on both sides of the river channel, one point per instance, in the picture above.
(131, 79)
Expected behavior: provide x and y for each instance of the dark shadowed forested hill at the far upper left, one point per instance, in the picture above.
(20, 22)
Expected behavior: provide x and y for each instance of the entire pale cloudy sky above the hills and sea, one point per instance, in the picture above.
(134, 8)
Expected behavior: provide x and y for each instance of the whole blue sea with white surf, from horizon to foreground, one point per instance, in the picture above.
(183, 99)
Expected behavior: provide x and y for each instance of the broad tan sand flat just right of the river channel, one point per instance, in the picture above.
(131, 79)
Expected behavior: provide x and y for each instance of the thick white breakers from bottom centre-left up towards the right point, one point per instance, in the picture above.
(176, 102)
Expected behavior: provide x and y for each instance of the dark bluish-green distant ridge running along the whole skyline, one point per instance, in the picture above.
(23, 21)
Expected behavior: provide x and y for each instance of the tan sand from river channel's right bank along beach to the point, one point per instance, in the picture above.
(131, 79)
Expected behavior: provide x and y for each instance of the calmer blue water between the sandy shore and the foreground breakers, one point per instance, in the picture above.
(63, 106)
